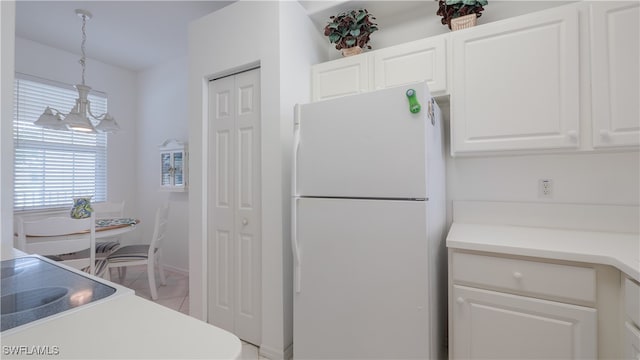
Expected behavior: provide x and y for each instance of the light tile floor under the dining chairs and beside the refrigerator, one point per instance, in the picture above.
(174, 296)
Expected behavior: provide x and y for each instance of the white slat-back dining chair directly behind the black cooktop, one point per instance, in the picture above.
(58, 237)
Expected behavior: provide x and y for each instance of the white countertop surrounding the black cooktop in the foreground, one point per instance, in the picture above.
(119, 327)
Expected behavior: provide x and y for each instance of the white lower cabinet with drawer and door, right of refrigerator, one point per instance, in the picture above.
(514, 308)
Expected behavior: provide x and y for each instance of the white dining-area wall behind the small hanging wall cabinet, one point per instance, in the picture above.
(162, 115)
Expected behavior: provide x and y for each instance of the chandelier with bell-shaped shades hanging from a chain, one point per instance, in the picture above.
(80, 118)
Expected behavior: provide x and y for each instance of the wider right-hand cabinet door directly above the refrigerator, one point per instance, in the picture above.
(414, 61)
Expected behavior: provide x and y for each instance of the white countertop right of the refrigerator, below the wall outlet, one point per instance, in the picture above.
(620, 250)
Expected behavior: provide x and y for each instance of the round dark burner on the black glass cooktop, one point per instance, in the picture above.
(32, 299)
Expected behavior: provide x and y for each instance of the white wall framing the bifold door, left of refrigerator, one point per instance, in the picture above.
(284, 61)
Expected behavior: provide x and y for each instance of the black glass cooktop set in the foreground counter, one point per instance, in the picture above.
(34, 288)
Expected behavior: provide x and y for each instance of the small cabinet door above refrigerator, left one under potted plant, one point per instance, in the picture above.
(341, 77)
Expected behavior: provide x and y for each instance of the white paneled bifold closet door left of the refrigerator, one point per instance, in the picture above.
(234, 258)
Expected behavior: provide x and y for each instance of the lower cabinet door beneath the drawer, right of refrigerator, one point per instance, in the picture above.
(493, 325)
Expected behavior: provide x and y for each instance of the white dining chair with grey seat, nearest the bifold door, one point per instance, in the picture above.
(149, 254)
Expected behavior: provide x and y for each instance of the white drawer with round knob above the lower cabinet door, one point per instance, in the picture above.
(535, 278)
